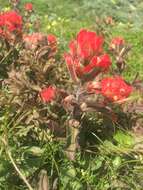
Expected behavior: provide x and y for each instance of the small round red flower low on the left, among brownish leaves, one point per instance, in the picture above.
(48, 94)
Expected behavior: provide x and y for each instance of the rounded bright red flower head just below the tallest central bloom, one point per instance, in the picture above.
(115, 88)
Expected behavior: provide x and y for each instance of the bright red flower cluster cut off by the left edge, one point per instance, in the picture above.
(10, 23)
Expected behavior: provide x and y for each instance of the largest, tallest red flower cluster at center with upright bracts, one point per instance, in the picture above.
(86, 55)
